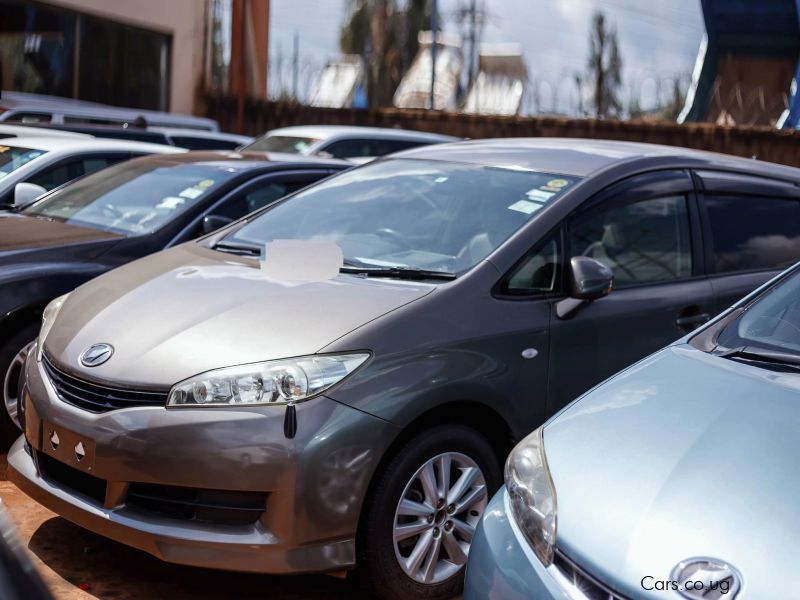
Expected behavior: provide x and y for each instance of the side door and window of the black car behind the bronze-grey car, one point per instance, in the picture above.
(254, 195)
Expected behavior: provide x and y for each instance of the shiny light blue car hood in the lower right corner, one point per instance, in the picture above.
(682, 455)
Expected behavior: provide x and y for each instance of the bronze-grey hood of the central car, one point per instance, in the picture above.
(187, 310)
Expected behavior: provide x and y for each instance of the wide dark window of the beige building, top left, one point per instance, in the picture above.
(46, 50)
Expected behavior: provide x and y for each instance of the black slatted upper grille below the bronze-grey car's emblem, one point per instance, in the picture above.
(97, 398)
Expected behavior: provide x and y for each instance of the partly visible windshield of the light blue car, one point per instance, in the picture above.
(771, 323)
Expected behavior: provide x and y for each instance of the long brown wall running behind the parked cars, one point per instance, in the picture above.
(780, 146)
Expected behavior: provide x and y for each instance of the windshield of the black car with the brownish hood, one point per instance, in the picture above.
(133, 197)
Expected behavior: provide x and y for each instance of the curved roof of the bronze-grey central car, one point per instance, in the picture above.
(580, 157)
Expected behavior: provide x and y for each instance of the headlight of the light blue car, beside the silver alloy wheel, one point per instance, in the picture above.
(532, 496)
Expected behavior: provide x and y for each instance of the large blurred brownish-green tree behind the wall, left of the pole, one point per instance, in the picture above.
(385, 36)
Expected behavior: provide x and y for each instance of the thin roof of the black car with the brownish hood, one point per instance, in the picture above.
(246, 161)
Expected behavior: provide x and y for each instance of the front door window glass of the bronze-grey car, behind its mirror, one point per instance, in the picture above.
(642, 242)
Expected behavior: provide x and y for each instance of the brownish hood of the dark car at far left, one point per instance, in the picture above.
(21, 233)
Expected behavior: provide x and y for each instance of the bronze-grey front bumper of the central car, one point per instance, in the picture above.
(314, 483)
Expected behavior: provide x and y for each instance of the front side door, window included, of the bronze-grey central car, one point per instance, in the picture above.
(646, 230)
